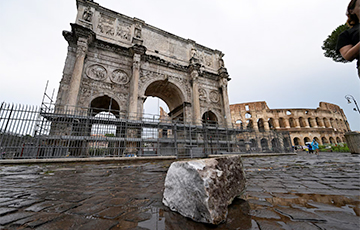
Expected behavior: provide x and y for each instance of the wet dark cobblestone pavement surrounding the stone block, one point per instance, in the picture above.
(284, 192)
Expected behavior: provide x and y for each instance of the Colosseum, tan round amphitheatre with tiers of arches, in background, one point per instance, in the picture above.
(327, 123)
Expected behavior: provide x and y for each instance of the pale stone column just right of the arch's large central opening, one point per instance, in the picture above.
(194, 76)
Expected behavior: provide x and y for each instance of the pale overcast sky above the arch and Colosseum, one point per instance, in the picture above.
(272, 48)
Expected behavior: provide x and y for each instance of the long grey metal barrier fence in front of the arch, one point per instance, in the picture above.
(55, 132)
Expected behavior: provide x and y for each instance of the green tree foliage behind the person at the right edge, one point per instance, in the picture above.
(329, 45)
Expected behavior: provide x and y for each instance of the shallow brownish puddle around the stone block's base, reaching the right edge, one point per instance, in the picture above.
(253, 211)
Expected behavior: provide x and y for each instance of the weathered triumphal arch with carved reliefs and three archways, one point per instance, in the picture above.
(115, 61)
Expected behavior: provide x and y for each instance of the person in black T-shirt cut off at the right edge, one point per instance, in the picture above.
(348, 41)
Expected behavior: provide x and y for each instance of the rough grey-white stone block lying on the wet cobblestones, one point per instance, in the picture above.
(203, 189)
